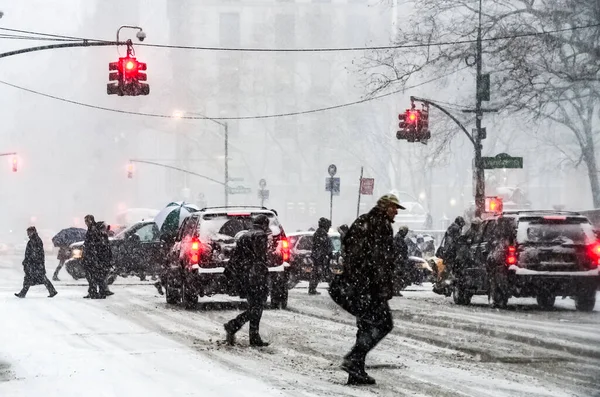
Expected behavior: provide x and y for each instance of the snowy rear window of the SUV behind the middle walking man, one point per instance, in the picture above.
(227, 226)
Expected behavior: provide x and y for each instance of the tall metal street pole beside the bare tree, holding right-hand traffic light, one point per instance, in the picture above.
(479, 172)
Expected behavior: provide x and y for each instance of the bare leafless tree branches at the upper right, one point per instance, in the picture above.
(543, 55)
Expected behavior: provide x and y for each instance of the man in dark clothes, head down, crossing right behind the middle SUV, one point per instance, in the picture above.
(251, 267)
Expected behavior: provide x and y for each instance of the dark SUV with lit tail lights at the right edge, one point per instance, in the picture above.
(542, 254)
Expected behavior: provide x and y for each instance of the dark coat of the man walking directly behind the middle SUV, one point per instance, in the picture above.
(249, 261)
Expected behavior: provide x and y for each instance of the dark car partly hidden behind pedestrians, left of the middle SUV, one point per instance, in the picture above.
(137, 250)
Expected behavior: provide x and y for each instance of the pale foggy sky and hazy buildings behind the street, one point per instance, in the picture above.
(73, 159)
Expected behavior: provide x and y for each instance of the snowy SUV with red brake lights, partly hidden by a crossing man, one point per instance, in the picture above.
(205, 241)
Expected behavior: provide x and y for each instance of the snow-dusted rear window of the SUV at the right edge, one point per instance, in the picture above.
(542, 231)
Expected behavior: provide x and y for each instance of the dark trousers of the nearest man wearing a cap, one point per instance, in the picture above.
(374, 323)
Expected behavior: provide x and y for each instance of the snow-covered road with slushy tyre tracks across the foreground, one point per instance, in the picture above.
(133, 344)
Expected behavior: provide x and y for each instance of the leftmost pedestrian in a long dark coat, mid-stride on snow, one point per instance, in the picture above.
(34, 265)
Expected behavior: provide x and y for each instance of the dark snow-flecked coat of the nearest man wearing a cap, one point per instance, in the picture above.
(369, 255)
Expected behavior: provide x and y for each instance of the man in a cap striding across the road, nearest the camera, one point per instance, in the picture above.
(369, 257)
